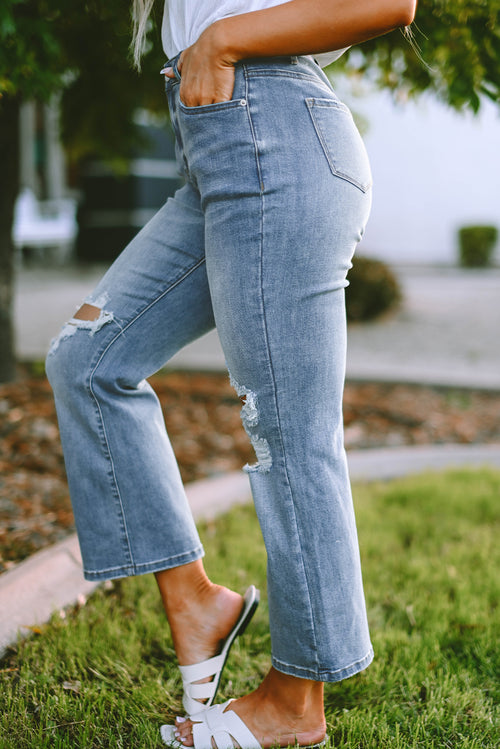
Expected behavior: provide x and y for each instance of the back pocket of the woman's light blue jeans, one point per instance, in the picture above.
(341, 142)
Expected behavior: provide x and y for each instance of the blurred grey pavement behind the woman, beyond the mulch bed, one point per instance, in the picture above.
(446, 332)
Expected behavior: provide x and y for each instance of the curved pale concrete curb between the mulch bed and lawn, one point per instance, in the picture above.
(52, 578)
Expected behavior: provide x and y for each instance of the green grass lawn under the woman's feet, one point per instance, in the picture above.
(105, 676)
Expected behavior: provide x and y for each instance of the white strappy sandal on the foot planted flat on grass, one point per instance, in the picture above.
(218, 729)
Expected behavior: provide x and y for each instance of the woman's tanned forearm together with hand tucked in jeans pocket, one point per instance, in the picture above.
(299, 27)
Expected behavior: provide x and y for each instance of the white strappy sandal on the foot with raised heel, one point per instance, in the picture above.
(198, 697)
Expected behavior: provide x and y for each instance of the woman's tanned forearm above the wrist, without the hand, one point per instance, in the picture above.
(308, 26)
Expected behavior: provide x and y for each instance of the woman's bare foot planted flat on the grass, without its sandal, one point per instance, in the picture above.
(283, 710)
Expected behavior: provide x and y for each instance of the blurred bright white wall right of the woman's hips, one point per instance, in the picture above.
(434, 171)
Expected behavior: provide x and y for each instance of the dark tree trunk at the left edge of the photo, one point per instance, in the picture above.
(9, 188)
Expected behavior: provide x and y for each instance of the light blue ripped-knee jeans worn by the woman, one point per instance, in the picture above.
(258, 242)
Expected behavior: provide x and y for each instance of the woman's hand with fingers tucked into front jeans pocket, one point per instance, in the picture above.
(206, 76)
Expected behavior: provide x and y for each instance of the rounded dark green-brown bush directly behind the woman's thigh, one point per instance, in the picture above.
(373, 289)
